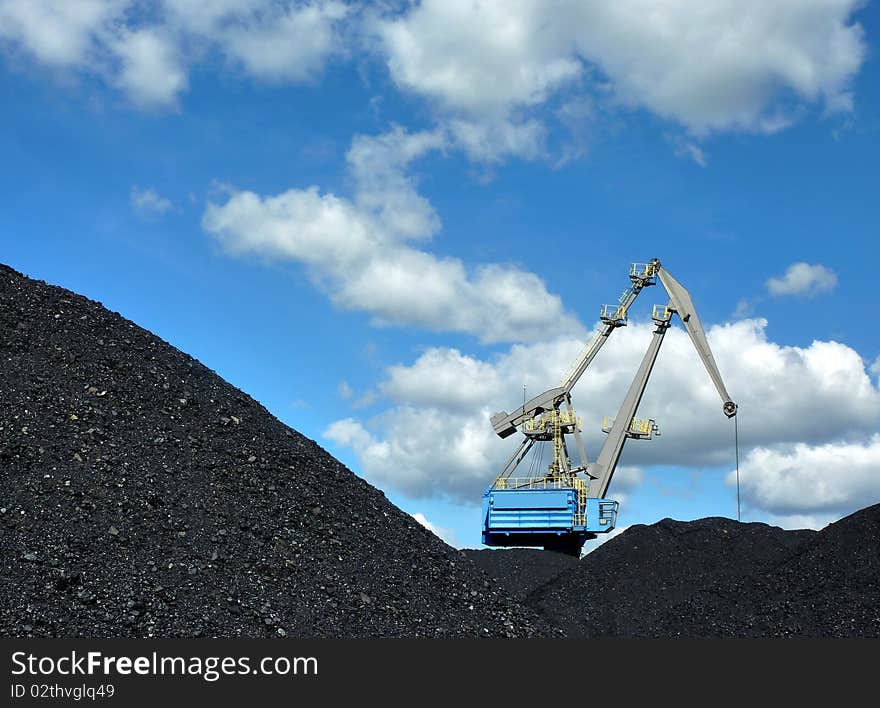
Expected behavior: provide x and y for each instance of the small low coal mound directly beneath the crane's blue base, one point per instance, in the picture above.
(520, 571)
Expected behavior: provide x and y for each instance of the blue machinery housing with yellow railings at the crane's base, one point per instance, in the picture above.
(554, 514)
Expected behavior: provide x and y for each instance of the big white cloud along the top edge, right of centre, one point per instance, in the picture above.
(724, 65)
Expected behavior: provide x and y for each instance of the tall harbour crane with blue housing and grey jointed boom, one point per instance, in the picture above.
(566, 505)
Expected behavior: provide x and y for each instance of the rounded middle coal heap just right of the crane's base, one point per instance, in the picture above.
(637, 584)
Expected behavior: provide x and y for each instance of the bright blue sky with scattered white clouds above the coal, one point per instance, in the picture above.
(382, 220)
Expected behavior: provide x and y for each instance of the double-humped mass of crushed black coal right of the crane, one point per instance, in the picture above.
(716, 577)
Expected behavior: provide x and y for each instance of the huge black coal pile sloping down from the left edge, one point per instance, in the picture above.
(141, 495)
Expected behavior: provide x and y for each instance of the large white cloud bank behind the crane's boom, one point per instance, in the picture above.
(437, 441)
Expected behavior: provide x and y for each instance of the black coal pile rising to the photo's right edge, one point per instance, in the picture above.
(829, 587)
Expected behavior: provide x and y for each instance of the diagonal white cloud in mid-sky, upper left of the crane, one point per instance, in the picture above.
(360, 250)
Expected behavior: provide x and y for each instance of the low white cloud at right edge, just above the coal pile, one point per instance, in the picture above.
(833, 478)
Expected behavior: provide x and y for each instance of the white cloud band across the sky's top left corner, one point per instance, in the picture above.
(148, 54)
